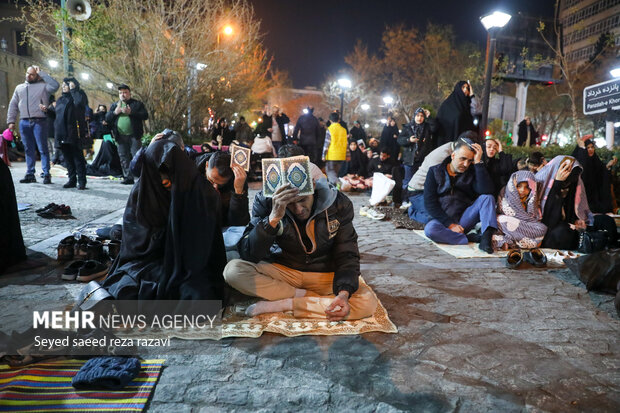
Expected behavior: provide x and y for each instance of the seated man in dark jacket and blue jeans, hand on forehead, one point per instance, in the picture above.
(457, 196)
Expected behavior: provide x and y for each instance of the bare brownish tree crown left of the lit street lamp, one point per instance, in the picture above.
(416, 70)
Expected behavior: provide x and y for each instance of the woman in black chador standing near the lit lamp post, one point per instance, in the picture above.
(454, 116)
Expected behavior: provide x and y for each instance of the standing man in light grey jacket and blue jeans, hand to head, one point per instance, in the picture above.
(29, 100)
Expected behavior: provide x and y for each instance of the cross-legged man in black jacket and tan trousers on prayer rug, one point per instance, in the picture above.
(300, 253)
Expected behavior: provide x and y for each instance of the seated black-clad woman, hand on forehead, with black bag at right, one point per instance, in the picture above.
(565, 206)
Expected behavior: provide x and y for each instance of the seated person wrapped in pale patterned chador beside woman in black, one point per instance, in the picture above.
(519, 216)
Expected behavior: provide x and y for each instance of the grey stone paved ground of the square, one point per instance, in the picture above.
(473, 335)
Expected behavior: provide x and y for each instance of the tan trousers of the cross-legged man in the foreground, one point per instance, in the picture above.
(277, 282)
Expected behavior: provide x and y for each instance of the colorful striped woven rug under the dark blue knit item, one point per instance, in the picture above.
(46, 387)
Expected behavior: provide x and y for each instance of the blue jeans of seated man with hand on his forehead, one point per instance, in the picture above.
(482, 210)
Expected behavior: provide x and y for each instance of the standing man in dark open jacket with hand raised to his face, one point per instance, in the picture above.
(125, 119)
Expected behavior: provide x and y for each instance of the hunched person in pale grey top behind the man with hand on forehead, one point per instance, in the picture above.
(417, 211)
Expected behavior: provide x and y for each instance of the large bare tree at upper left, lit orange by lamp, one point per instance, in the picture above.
(173, 54)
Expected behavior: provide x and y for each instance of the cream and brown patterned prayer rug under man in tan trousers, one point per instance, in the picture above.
(285, 324)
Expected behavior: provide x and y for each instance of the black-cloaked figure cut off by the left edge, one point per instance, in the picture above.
(12, 248)
